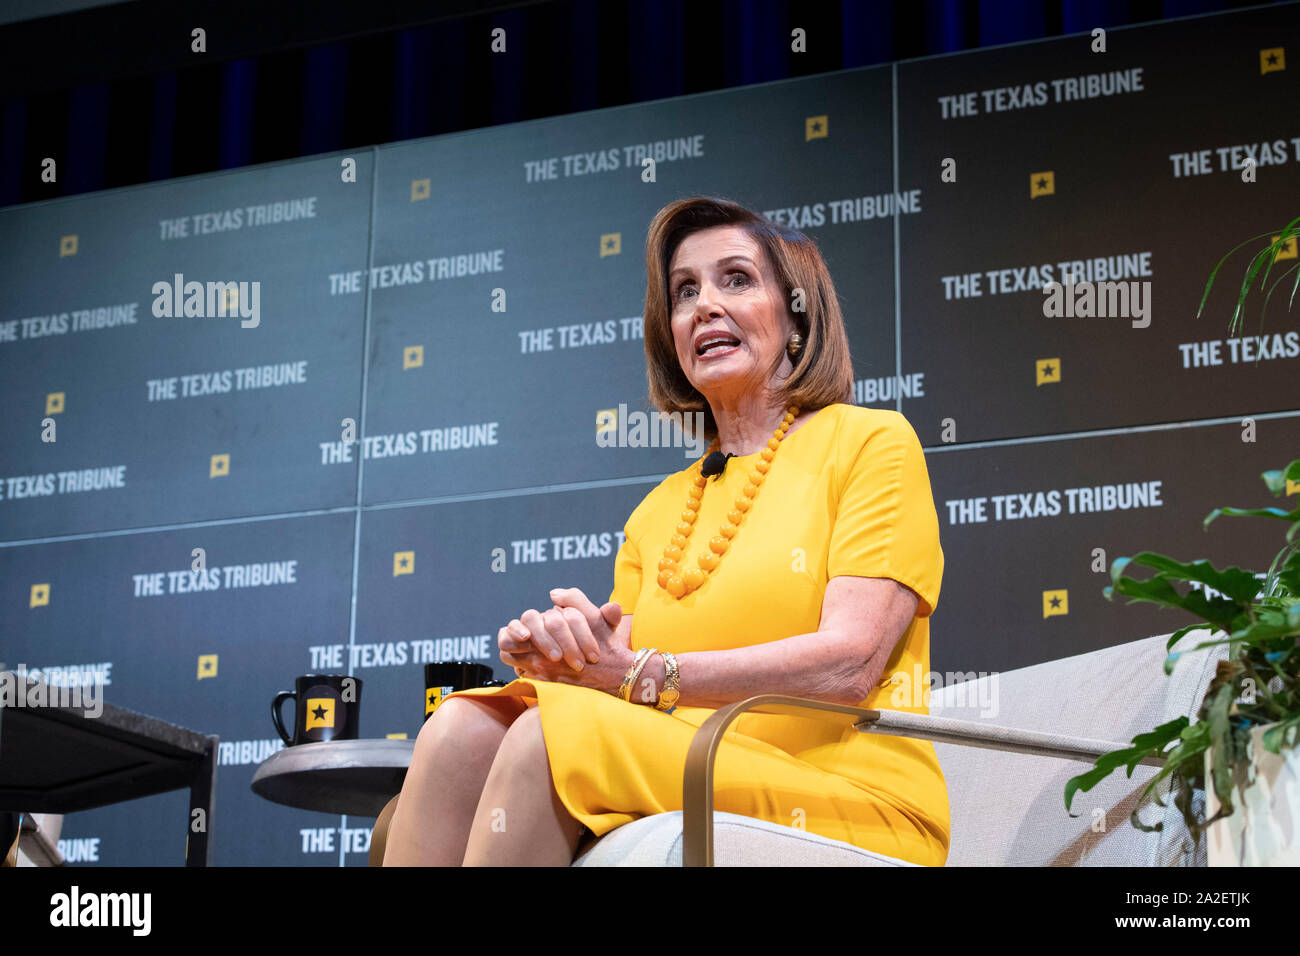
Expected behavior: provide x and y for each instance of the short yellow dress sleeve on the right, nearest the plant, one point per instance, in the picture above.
(886, 525)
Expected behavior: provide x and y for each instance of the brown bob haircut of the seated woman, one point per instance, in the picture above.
(824, 373)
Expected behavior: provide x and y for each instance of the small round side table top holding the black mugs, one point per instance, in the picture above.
(353, 777)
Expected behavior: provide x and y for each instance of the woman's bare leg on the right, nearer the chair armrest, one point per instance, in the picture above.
(521, 819)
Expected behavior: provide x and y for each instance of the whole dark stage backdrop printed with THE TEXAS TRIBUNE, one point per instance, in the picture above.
(413, 406)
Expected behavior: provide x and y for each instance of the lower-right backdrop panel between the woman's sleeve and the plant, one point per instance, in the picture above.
(1048, 507)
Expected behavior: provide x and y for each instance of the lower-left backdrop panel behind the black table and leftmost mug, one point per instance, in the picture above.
(203, 651)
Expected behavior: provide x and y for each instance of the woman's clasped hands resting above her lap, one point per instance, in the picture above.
(573, 643)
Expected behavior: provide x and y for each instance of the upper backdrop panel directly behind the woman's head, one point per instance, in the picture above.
(569, 343)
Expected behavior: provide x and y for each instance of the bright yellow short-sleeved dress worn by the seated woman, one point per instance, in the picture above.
(848, 495)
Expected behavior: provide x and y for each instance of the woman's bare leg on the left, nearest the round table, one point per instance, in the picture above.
(453, 755)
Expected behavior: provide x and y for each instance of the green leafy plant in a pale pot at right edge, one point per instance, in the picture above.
(1246, 730)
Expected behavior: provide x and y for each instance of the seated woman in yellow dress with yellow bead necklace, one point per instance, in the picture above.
(809, 566)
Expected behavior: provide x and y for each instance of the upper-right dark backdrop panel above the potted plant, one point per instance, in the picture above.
(1123, 194)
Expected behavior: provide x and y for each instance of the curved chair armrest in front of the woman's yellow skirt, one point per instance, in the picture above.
(697, 790)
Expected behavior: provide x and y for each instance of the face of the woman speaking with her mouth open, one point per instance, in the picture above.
(723, 291)
